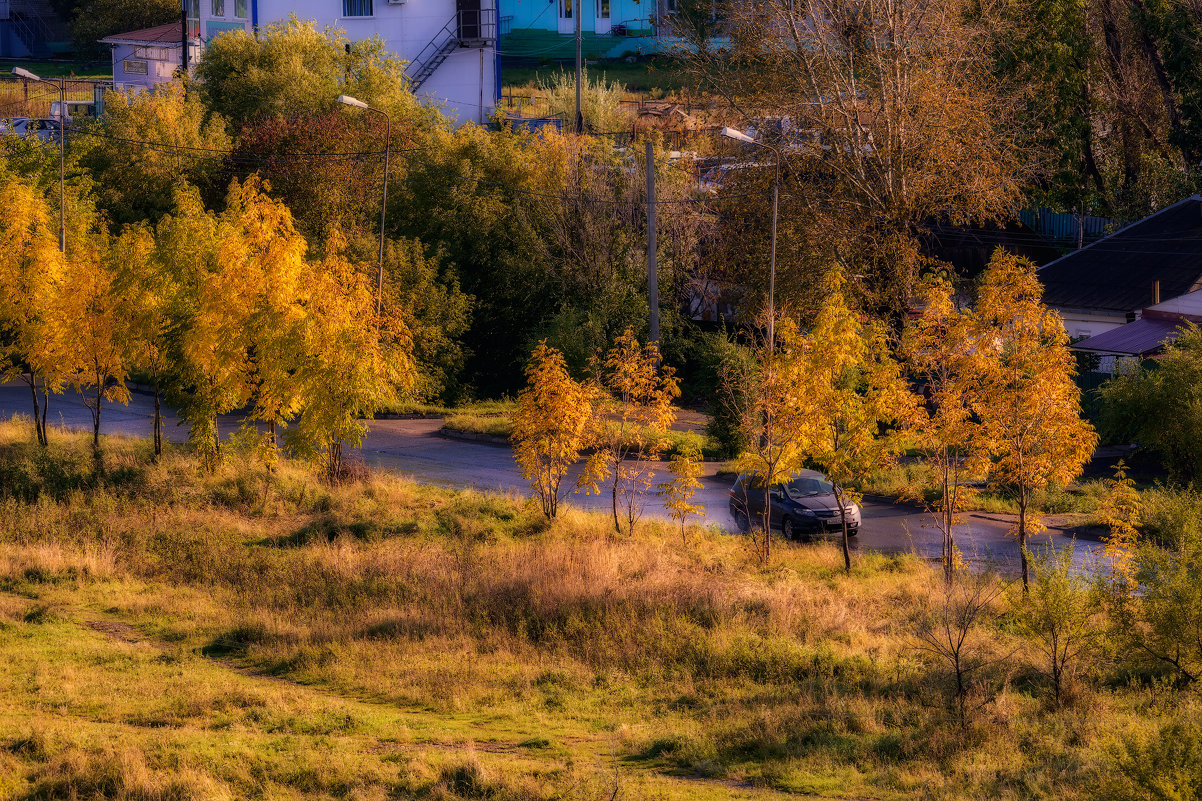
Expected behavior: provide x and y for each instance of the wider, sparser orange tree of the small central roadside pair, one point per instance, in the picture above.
(633, 414)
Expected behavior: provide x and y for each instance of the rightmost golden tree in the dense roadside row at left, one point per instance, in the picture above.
(354, 360)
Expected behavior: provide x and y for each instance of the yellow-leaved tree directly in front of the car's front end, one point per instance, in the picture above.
(854, 393)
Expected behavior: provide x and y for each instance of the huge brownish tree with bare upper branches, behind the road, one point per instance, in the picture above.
(886, 118)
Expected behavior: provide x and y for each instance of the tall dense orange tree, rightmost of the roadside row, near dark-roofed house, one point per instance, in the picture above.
(1027, 401)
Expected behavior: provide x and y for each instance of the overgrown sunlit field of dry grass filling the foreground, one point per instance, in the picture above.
(172, 634)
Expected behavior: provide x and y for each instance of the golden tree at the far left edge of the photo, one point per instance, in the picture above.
(31, 288)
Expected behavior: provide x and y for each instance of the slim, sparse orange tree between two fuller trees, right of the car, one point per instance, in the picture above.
(941, 354)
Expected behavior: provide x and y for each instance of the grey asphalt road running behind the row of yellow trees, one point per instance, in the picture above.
(414, 449)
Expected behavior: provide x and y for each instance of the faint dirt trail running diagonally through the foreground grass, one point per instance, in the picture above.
(599, 747)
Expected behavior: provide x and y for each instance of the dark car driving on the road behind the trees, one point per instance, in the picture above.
(802, 507)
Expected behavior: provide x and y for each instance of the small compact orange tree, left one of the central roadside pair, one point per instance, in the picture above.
(551, 426)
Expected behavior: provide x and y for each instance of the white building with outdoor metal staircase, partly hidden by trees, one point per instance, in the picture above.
(450, 45)
